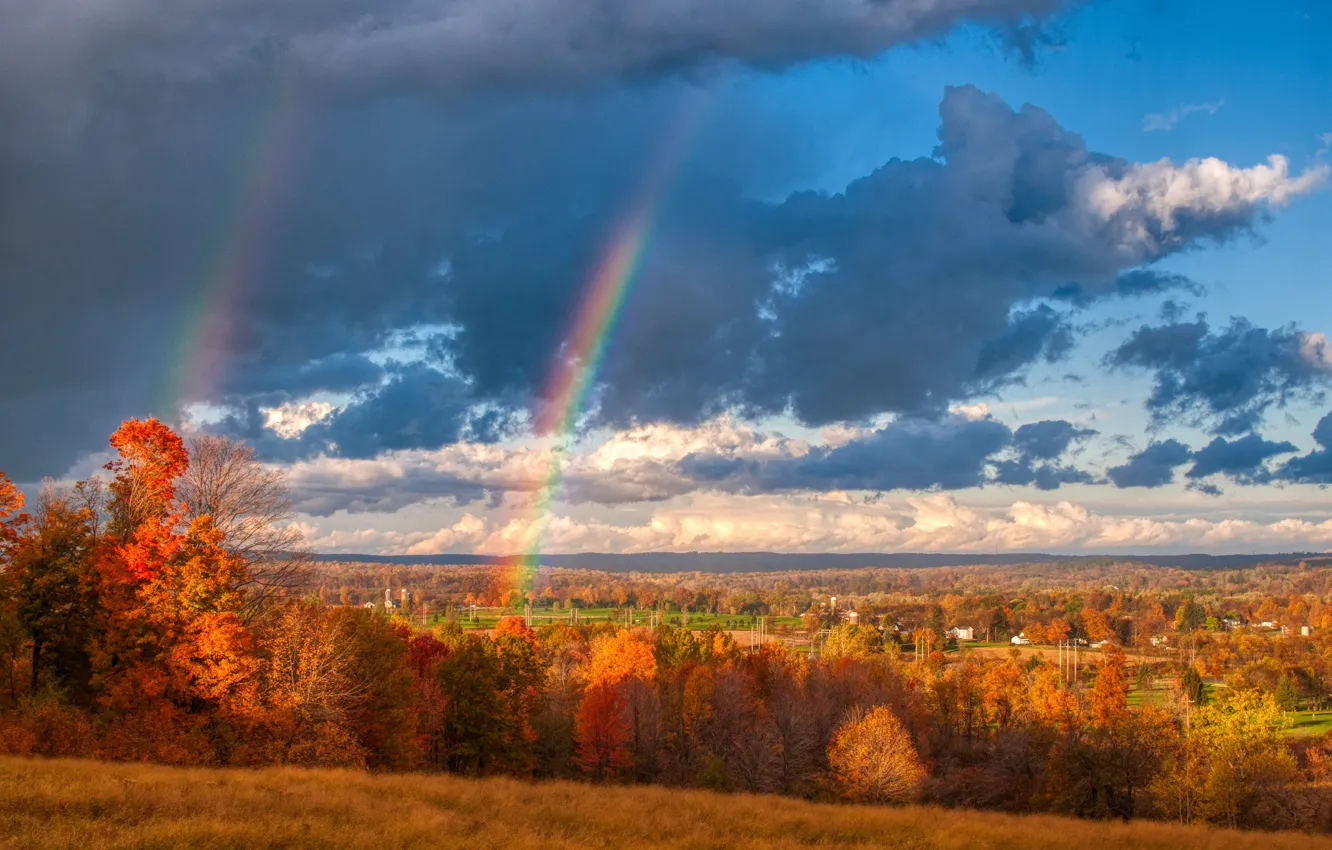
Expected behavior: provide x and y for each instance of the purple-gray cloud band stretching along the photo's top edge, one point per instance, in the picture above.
(142, 49)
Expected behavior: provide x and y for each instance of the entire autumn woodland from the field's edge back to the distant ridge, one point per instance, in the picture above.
(166, 614)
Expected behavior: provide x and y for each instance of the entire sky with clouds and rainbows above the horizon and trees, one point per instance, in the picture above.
(503, 276)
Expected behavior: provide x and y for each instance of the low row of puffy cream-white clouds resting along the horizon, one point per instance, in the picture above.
(932, 523)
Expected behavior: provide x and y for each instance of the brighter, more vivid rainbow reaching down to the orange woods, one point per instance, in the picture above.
(575, 372)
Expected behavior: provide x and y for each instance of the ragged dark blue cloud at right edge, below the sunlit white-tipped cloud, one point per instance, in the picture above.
(1229, 379)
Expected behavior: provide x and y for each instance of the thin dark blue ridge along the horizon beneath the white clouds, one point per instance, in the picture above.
(777, 562)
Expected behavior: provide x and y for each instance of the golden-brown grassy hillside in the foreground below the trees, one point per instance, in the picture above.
(73, 804)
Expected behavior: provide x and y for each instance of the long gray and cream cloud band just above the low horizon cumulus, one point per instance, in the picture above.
(950, 454)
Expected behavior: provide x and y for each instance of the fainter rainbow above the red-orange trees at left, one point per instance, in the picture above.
(212, 322)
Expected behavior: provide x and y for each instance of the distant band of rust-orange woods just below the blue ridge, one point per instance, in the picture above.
(1133, 604)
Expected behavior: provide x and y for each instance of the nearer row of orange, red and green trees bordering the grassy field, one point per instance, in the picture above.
(161, 618)
